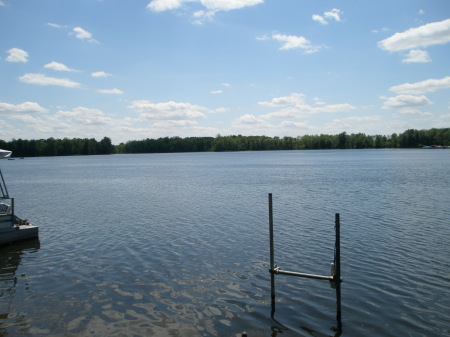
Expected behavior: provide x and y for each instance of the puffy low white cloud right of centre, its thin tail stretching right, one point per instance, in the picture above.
(294, 106)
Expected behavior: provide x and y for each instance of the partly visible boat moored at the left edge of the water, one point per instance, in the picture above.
(12, 228)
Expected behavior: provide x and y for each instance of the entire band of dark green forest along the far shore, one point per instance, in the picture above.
(65, 147)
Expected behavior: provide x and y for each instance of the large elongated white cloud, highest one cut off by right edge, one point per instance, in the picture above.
(427, 35)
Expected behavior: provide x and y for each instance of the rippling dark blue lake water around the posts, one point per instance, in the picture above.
(178, 244)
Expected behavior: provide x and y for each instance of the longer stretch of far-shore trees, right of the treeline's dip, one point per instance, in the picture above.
(409, 139)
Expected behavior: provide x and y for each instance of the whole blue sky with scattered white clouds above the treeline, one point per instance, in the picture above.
(132, 70)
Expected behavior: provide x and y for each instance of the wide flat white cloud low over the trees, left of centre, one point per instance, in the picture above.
(168, 110)
